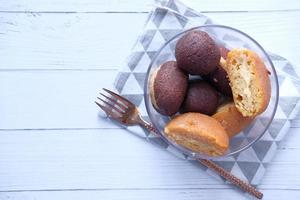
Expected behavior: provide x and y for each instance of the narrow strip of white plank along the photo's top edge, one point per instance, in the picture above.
(140, 6)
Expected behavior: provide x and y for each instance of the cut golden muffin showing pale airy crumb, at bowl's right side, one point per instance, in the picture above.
(249, 81)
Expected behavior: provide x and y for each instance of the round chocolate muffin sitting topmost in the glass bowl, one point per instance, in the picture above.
(197, 53)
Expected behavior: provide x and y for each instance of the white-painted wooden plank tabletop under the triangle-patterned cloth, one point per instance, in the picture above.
(54, 57)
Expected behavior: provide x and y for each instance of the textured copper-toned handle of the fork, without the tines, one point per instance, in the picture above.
(216, 168)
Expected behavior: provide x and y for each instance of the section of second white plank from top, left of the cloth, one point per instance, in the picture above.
(67, 41)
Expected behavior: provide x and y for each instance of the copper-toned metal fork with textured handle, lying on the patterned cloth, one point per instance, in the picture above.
(125, 112)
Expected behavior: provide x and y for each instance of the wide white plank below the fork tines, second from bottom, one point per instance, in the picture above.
(111, 159)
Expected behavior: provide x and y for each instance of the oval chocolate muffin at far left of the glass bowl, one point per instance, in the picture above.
(168, 85)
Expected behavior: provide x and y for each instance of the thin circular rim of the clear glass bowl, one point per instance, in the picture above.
(182, 149)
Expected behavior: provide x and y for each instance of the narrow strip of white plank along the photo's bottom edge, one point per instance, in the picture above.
(177, 194)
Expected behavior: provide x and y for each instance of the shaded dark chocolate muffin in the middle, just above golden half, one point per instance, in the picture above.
(200, 97)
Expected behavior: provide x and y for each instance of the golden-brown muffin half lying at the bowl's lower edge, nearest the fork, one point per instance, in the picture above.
(199, 133)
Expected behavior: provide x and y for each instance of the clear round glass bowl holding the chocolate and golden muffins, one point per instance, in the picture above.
(230, 38)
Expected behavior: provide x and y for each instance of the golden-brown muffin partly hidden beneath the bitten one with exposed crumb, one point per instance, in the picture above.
(231, 119)
